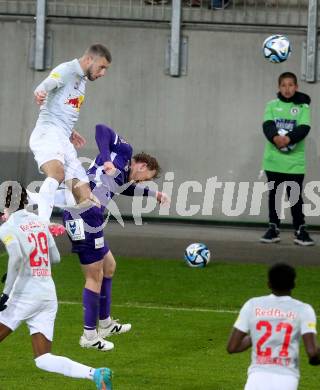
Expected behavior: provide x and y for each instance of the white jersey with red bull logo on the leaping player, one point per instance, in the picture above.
(63, 103)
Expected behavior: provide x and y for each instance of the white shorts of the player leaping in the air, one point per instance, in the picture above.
(49, 142)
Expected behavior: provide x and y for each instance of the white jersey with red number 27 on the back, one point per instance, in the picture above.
(275, 325)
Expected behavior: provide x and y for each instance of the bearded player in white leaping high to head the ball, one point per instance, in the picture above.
(53, 140)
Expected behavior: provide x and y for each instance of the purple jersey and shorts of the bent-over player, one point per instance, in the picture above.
(85, 227)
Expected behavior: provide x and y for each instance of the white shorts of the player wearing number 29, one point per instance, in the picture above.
(39, 316)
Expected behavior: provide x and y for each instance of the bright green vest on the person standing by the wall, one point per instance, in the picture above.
(286, 116)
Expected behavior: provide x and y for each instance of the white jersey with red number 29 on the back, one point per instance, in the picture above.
(33, 282)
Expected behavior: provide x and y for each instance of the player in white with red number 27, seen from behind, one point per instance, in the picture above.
(273, 325)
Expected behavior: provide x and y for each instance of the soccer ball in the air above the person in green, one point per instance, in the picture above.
(276, 48)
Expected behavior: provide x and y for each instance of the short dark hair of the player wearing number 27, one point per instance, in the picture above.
(282, 277)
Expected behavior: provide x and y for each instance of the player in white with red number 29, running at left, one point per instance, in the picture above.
(29, 294)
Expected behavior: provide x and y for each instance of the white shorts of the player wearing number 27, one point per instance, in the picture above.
(271, 381)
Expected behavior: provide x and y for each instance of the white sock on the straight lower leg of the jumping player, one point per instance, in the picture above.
(46, 198)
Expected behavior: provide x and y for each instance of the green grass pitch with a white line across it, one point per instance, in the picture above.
(181, 318)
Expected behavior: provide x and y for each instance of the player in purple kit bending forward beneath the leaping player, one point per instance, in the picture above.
(114, 170)
